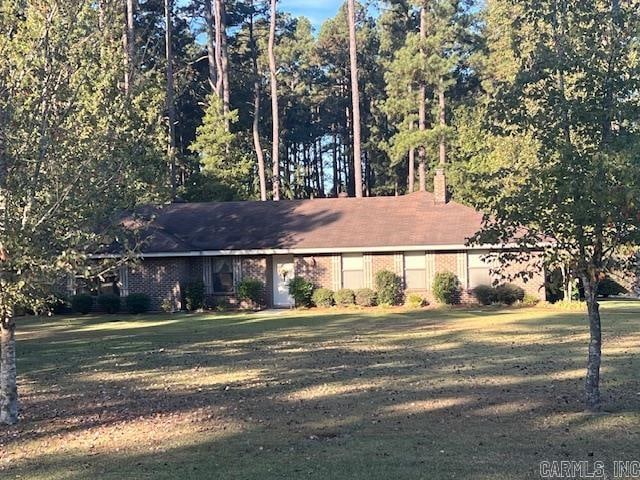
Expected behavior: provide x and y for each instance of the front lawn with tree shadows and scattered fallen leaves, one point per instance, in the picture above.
(431, 394)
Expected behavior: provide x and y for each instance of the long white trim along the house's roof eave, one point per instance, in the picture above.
(318, 251)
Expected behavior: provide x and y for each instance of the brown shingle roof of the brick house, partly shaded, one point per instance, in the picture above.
(332, 223)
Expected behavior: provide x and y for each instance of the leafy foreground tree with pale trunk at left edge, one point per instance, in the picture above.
(69, 147)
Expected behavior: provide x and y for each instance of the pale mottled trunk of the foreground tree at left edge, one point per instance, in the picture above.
(8, 383)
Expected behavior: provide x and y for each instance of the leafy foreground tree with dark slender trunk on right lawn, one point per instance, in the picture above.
(556, 163)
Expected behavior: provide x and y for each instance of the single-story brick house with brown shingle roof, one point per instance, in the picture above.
(334, 242)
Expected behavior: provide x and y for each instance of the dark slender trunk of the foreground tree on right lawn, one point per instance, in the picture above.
(592, 381)
